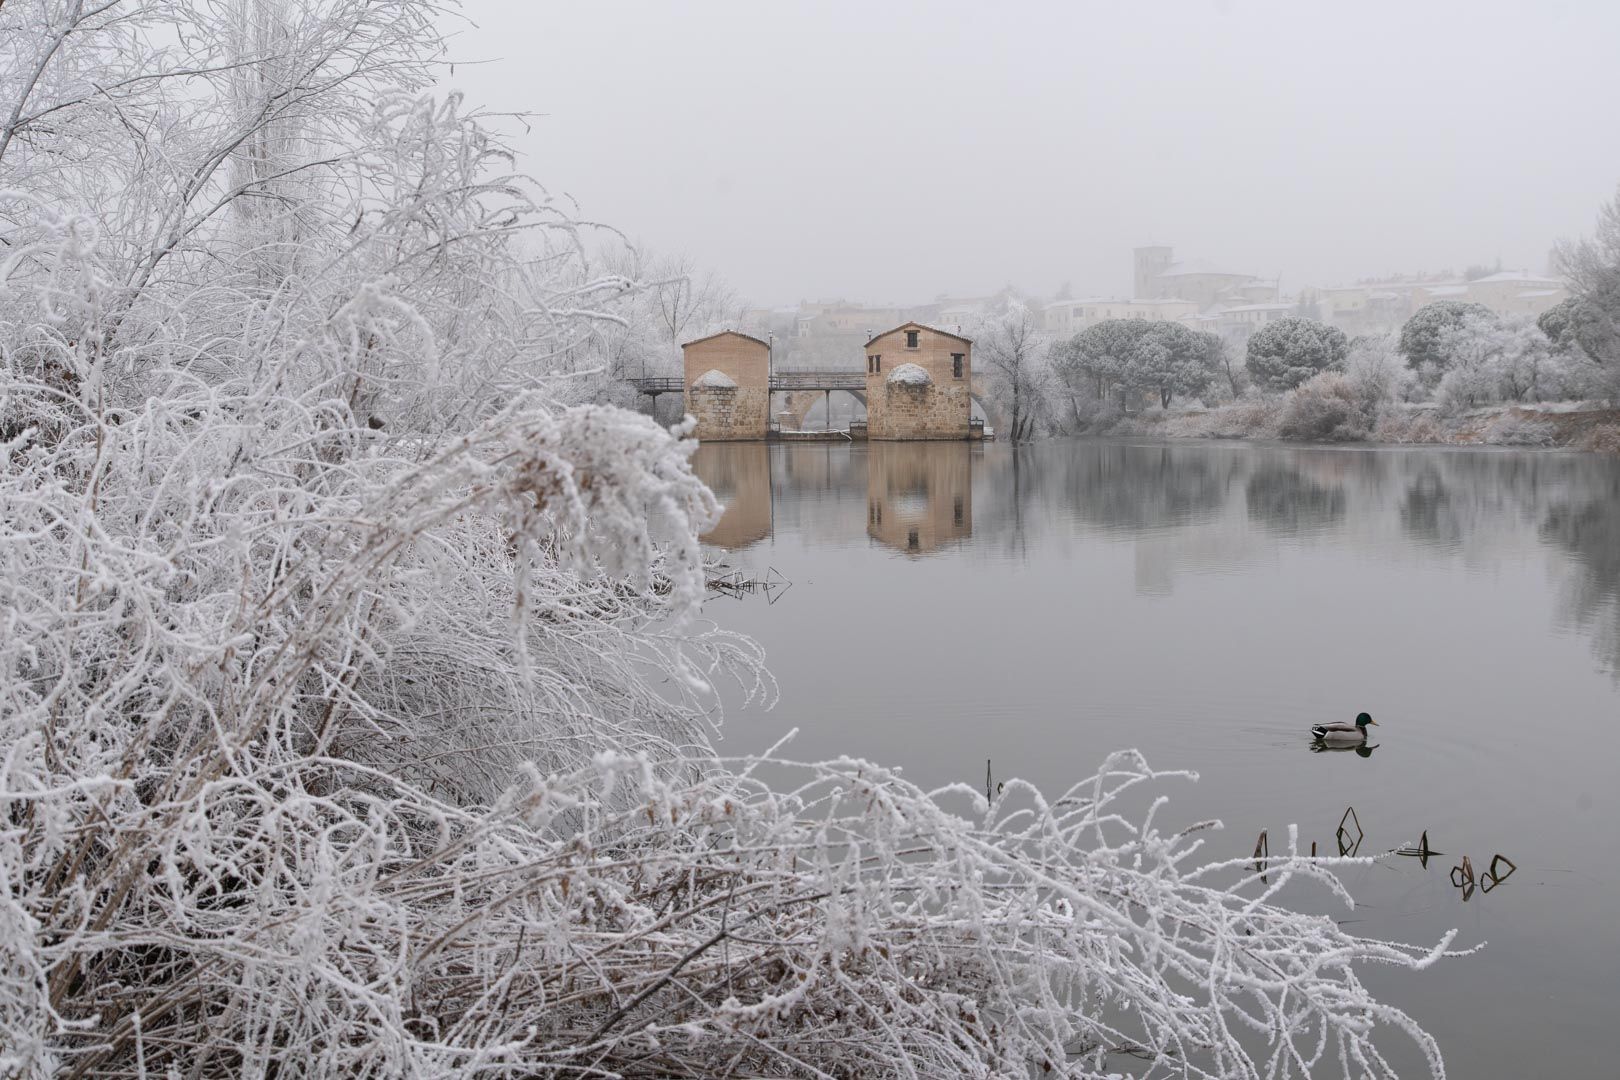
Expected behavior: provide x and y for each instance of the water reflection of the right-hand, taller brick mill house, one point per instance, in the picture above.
(919, 498)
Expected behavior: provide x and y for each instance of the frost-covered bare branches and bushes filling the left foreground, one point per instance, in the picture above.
(356, 707)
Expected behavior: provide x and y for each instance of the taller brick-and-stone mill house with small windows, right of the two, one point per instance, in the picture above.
(937, 409)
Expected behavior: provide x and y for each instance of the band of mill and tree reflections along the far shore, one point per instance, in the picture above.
(1187, 508)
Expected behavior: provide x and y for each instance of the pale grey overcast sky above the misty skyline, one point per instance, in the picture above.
(897, 151)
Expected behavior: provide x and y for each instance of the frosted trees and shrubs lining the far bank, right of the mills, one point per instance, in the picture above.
(1298, 378)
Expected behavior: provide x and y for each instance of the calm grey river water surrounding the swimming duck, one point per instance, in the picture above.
(1208, 603)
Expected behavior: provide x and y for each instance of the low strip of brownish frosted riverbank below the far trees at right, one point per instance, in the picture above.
(1572, 427)
